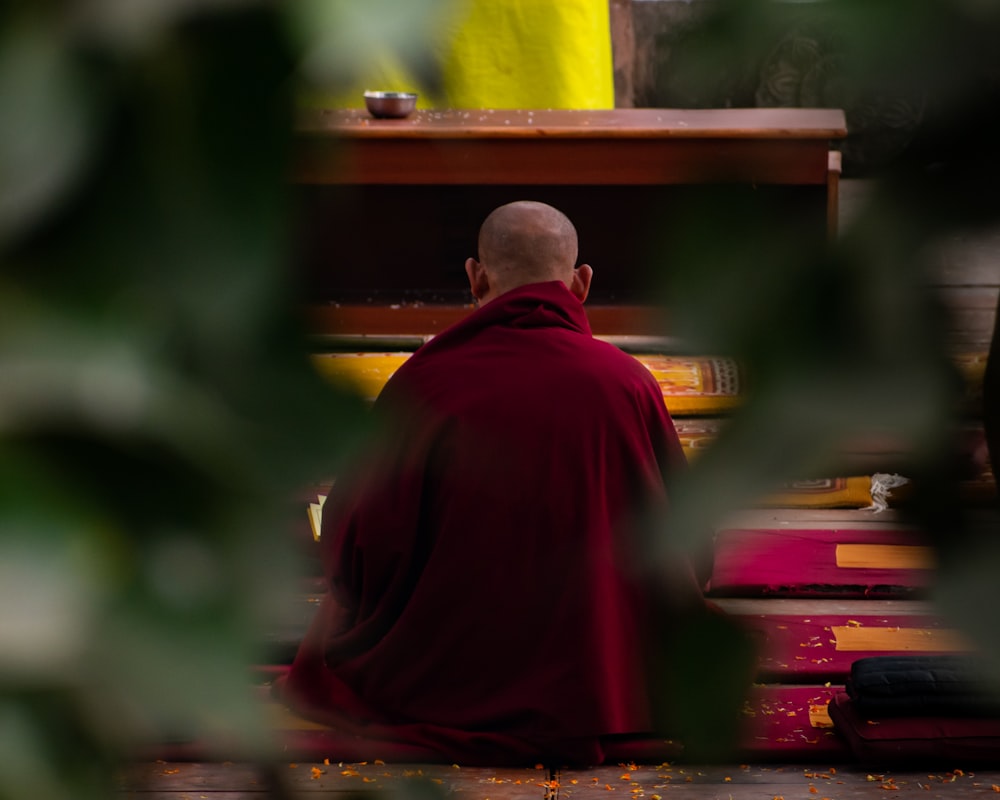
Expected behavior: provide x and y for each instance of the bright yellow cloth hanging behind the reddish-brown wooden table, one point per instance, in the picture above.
(507, 54)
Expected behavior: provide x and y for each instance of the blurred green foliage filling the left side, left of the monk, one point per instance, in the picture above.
(157, 411)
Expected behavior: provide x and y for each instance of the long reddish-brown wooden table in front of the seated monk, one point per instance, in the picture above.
(390, 208)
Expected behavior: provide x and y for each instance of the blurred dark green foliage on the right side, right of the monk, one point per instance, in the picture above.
(844, 343)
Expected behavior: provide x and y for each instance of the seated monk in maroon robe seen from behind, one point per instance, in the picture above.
(482, 604)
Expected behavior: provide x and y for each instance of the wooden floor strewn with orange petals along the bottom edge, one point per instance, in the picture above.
(177, 781)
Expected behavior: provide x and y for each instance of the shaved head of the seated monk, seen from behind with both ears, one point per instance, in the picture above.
(526, 242)
